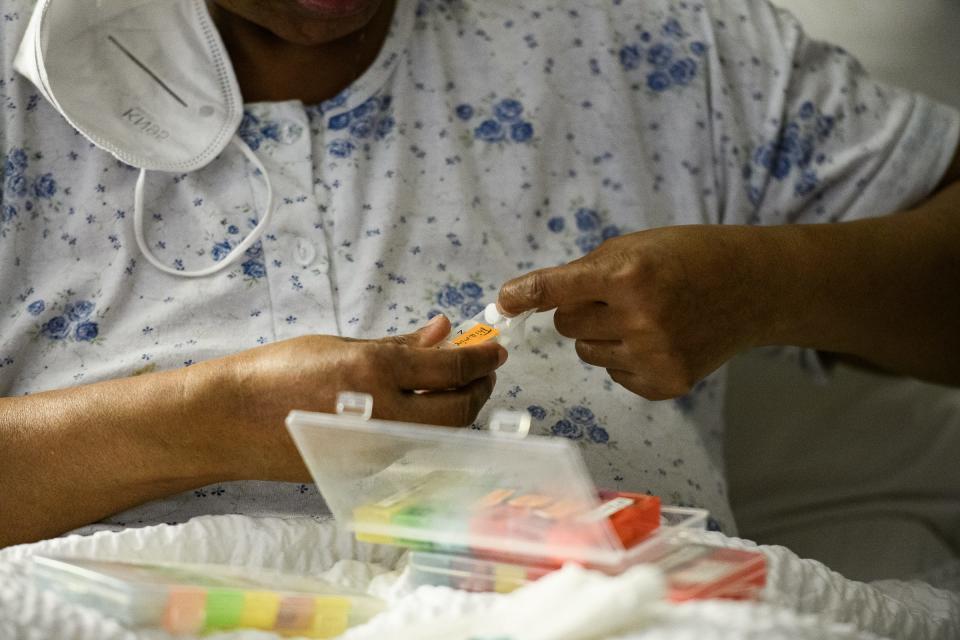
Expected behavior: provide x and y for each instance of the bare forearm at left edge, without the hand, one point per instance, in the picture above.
(74, 456)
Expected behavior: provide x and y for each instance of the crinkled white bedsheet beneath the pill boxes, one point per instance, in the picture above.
(803, 598)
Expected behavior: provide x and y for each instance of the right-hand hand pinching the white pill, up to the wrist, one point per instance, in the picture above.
(659, 309)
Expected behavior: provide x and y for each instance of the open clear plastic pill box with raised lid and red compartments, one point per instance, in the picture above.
(483, 493)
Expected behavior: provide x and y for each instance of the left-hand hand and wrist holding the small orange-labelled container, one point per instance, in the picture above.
(248, 395)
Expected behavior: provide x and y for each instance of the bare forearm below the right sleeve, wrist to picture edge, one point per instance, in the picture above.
(883, 290)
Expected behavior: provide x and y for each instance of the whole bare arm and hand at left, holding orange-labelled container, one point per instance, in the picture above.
(72, 456)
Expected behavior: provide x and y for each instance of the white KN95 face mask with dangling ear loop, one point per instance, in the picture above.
(148, 81)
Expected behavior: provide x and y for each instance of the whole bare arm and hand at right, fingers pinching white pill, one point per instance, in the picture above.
(661, 309)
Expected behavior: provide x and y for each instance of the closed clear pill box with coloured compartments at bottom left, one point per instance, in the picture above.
(199, 598)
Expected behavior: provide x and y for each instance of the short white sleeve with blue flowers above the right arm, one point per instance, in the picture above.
(808, 136)
